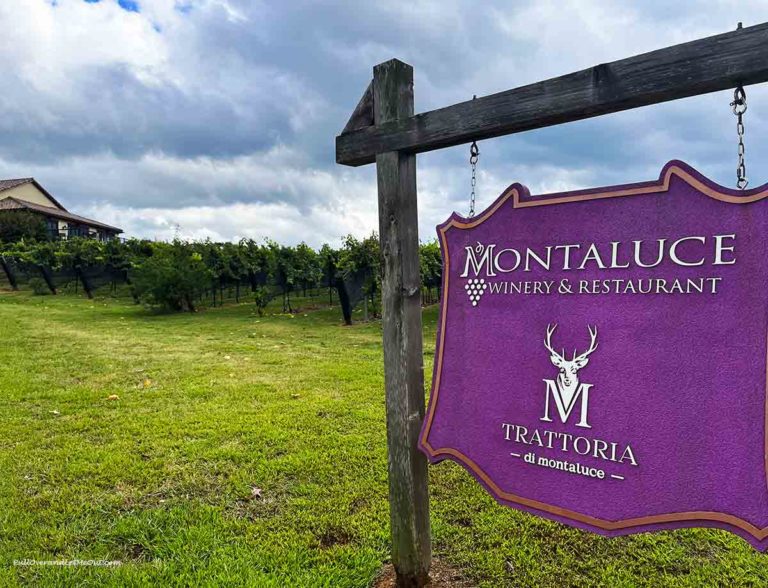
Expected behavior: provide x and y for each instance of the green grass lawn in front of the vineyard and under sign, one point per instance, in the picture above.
(215, 404)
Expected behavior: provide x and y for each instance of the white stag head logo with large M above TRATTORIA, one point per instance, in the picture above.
(567, 389)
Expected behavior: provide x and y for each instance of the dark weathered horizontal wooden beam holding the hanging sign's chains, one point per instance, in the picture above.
(698, 67)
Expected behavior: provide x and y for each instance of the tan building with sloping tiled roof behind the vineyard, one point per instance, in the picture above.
(27, 194)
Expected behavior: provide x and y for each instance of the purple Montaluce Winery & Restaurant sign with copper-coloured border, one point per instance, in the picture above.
(602, 355)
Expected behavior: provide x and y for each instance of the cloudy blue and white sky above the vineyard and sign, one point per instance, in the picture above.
(219, 116)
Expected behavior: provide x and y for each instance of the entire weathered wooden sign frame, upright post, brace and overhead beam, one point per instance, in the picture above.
(383, 129)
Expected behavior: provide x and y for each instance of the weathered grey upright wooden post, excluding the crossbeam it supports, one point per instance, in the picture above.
(401, 322)
